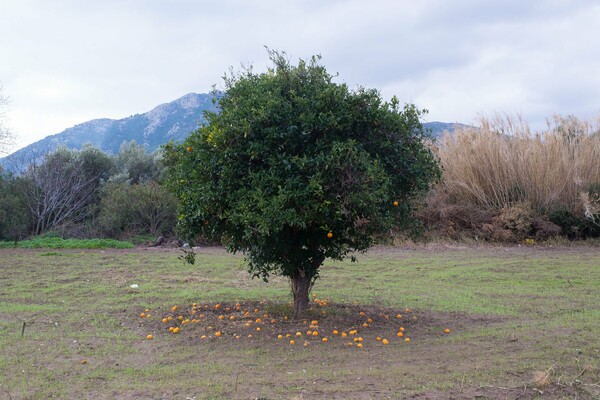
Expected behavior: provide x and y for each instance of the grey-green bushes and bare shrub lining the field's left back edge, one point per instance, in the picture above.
(88, 194)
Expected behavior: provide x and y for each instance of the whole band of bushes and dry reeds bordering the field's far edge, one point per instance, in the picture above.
(501, 183)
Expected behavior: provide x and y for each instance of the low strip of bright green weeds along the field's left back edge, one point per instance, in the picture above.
(51, 242)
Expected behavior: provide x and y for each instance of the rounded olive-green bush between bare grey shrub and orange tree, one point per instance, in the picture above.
(145, 208)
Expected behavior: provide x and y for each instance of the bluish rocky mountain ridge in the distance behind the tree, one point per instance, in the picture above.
(169, 121)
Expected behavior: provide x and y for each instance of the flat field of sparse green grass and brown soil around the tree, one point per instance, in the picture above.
(524, 323)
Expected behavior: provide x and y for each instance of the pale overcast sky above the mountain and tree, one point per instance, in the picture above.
(63, 62)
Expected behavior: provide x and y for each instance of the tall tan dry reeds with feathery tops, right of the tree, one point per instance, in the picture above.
(503, 163)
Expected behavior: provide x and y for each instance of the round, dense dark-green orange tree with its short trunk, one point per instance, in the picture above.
(295, 168)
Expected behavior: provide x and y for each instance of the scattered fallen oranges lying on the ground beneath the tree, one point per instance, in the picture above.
(236, 321)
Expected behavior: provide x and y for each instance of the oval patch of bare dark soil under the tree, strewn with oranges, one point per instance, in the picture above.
(268, 320)
